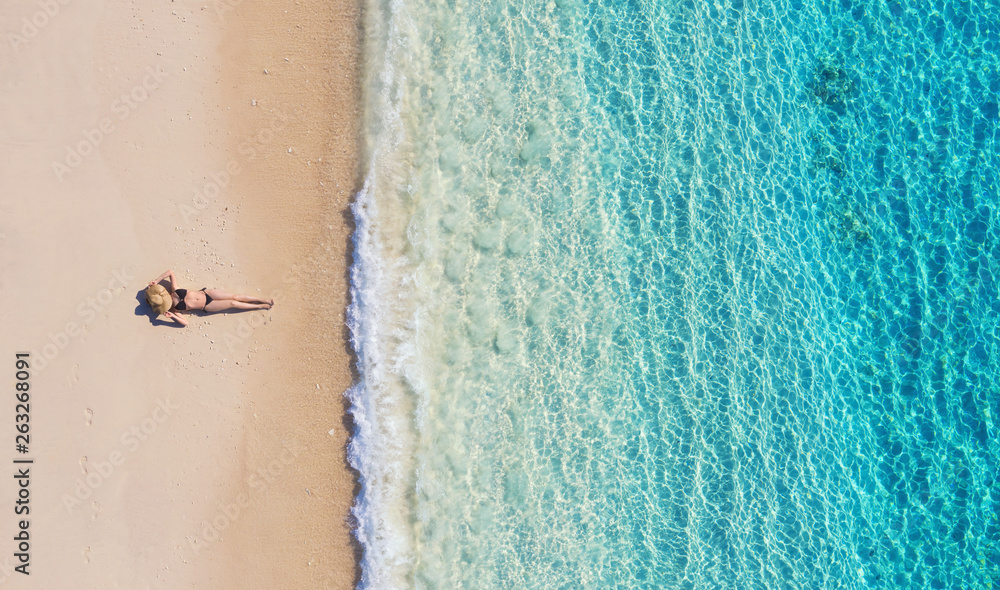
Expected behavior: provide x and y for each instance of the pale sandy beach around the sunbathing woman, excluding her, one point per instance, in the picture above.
(219, 140)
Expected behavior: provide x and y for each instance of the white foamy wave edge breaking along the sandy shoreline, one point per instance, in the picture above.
(380, 449)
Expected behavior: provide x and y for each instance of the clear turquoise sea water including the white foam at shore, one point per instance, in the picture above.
(679, 295)
